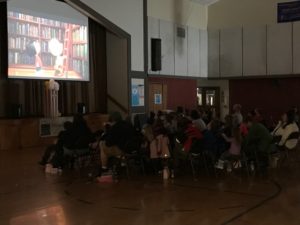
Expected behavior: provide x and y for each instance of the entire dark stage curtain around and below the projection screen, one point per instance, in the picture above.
(29, 93)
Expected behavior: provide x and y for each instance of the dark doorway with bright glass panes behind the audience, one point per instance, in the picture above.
(209, 99)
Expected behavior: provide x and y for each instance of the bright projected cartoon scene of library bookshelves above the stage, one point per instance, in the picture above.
(41, 48)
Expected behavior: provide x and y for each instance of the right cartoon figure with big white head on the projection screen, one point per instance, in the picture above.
(56, 49)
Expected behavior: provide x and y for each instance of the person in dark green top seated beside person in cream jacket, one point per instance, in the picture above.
(258, 142)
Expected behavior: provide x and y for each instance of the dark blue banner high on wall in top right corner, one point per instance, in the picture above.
(288, 11)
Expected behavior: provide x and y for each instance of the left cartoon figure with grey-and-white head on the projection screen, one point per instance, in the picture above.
(34, 49)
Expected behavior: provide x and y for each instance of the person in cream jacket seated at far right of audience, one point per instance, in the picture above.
(282, 134)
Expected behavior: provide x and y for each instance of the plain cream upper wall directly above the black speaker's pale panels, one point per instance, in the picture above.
(182, 12)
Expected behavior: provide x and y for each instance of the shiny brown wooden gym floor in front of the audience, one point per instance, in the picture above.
(30, 197)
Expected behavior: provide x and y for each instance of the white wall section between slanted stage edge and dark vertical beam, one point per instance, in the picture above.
(128, 15)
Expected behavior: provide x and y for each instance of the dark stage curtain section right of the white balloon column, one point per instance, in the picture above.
(93, 93)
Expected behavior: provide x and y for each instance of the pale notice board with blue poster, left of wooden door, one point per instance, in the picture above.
(137, 92)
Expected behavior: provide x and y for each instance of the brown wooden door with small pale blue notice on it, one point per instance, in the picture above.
(157, 97)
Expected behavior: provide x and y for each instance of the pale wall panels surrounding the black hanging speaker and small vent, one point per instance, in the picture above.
(180, 56)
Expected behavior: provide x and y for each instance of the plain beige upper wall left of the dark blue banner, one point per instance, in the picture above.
(237, 13)
